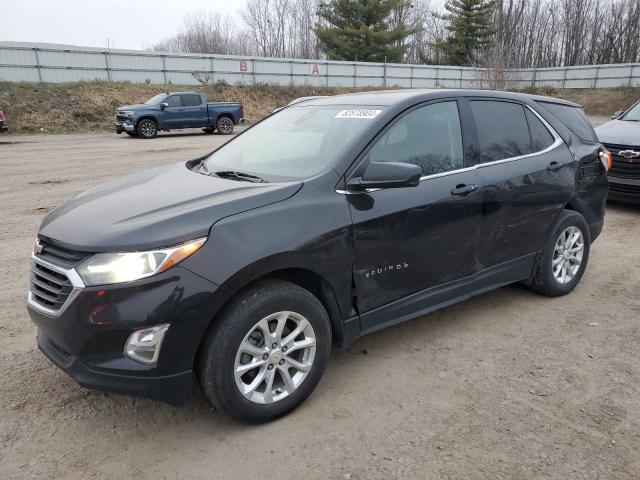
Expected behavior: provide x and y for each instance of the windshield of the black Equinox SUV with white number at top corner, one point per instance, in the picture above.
(294, 143)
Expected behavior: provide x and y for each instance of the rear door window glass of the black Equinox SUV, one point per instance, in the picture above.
(502, 130)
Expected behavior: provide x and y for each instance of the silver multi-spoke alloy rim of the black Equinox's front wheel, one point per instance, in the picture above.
(275, 357)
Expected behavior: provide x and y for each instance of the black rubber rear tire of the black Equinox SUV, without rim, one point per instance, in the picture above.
(544, 281)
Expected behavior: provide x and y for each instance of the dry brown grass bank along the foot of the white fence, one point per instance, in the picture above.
(90, 106)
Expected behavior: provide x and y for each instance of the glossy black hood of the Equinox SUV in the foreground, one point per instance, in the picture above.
(154, 208)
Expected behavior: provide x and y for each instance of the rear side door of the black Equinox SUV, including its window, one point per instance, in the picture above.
(521, 165)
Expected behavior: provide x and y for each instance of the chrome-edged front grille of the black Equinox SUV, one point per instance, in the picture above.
(51, 287)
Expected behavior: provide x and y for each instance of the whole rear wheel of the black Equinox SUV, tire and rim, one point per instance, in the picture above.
(565, 256)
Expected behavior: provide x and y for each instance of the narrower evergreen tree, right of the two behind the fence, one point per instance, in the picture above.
(470, 27)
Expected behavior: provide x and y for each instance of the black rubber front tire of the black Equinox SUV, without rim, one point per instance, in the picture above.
(217, 359)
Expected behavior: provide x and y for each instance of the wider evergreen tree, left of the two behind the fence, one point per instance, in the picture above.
(360, 30)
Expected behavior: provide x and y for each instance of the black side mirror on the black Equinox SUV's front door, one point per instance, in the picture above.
(387, 175)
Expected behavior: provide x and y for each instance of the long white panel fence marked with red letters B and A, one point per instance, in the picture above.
(33, 62)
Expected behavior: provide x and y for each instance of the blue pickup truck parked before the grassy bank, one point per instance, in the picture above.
(177, 110)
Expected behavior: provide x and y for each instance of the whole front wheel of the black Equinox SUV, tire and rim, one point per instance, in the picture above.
(266, 353)
